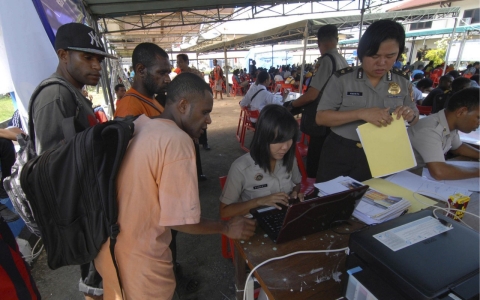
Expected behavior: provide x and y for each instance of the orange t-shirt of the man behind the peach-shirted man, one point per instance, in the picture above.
(130, 105)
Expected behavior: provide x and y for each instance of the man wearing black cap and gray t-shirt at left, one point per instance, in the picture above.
(80, 54)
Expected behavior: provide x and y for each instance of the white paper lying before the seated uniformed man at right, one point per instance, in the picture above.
(426, 187)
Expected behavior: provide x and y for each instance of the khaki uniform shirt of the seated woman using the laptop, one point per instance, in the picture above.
(246, 180)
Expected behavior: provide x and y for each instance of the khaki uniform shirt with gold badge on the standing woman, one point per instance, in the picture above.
(349, 89)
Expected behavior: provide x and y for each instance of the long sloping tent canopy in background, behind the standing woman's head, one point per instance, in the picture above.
(295, 31)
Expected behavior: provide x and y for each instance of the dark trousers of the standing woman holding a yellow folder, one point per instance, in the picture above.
(342, 157)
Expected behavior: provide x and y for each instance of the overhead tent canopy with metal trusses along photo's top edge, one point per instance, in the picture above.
(126, 23)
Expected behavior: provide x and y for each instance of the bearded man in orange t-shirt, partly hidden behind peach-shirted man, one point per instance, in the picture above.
(152, 69)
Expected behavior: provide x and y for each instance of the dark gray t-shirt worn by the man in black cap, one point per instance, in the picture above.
(53, 104)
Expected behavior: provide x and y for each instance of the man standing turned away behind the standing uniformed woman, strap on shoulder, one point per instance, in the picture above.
(329, 62)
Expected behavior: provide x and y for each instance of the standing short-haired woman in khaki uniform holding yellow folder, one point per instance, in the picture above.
(368, 93)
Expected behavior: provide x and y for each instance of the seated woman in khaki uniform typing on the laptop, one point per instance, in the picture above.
(269, 174)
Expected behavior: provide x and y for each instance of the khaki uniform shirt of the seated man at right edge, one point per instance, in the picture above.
(431, 139)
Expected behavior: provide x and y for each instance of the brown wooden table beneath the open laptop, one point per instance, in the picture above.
(303, 276)
